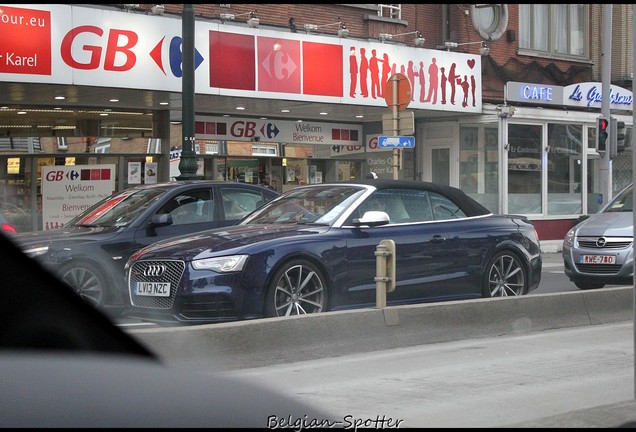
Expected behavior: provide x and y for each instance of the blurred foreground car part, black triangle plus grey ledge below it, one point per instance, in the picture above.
(65, 364)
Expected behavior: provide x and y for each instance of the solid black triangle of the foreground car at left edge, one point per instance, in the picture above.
(38, 311)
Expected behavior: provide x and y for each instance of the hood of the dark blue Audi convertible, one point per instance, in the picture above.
(234, 239)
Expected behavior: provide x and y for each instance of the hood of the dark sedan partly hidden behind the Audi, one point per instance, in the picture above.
(73, 234)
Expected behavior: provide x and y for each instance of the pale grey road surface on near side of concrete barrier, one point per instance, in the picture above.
(536, 380)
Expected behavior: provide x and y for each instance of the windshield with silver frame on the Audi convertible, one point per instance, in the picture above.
(316, 205)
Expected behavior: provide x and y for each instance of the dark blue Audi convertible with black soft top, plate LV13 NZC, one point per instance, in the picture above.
(312, 250)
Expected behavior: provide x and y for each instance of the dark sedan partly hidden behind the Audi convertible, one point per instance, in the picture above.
(90, 251)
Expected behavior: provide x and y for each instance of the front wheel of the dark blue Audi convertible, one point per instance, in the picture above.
(298, 288)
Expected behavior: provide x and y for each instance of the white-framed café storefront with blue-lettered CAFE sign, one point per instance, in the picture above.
(535, 155)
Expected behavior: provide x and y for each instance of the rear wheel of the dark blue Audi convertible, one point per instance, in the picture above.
(505, 276)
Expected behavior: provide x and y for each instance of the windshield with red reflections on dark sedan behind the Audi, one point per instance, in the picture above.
(118, 210)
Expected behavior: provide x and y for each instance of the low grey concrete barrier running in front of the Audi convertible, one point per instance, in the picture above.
(271, 341)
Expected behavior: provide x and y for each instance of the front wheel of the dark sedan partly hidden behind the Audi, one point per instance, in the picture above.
(86, 280)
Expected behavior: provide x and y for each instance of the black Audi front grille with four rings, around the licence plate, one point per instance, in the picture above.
(155, 271)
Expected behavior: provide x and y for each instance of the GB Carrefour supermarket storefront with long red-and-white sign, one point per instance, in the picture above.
(123, 61)
